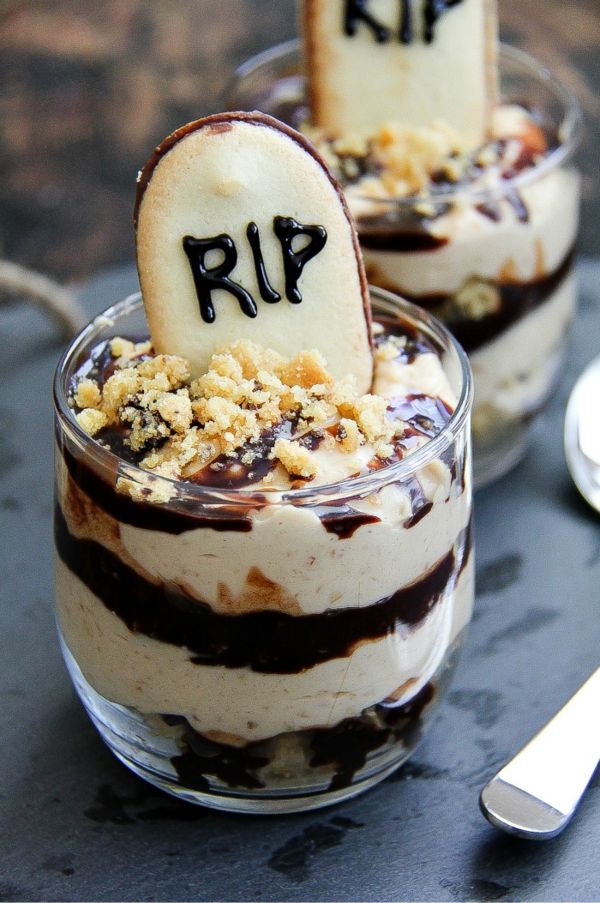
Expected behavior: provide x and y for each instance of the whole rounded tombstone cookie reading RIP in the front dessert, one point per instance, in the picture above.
(242, 232)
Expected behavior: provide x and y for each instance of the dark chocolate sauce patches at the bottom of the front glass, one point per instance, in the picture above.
(346, 747)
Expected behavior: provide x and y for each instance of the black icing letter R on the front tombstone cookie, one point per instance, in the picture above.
(207, 280)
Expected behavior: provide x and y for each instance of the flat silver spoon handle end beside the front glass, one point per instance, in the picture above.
(537, 792)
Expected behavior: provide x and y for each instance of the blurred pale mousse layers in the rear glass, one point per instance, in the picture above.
(513, 371)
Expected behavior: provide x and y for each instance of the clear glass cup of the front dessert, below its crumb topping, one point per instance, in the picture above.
(328, 701)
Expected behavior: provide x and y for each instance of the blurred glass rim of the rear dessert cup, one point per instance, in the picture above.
(569, 129)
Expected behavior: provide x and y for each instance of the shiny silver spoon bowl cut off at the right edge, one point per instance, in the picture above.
(582, 434)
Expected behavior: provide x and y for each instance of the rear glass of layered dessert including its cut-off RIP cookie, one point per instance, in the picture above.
(465, 200)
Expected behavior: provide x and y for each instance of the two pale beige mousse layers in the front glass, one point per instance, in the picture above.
(304, 567)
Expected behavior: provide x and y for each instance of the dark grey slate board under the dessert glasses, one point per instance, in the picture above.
(77, 826)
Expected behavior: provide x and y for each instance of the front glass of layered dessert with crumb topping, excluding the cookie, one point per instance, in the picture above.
(263, 571)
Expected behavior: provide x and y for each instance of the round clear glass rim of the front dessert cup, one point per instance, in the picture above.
(186, 490)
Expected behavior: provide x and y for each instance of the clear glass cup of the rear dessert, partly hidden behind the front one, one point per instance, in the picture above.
(495, 264)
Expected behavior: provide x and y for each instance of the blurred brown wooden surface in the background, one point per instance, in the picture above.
(88, 88)
